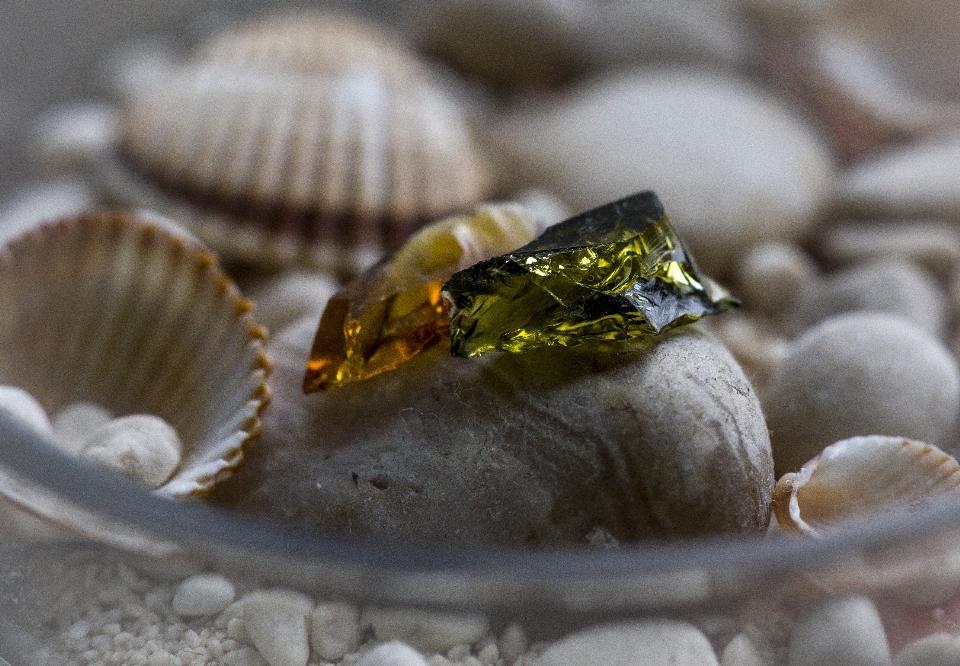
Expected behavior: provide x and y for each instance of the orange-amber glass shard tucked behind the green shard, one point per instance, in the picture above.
(395, 311)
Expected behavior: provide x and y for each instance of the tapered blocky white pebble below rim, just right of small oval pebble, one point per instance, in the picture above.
(278, 623)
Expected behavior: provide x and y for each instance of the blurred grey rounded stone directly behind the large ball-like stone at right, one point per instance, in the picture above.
(894, 287)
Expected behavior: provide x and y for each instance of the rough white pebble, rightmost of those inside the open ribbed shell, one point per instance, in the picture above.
(141, 446)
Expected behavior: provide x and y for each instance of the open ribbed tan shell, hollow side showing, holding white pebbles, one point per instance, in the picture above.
(109, 309)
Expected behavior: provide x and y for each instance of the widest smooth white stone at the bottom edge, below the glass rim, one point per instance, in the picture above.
(654, 643)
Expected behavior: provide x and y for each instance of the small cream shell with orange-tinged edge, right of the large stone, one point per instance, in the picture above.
(860, 477)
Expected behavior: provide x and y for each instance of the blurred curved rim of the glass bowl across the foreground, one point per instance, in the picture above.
(572, 583)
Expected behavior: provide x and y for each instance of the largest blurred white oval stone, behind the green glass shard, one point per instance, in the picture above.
(733, 166)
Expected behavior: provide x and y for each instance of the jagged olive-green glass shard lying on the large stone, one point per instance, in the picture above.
(612, 273)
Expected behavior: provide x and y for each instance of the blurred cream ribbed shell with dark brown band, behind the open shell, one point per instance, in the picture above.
(271, 161)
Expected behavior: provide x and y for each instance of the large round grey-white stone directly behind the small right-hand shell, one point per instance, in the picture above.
(853, 375)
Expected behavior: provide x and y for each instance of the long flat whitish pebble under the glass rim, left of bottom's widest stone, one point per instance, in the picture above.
(428, 632)
